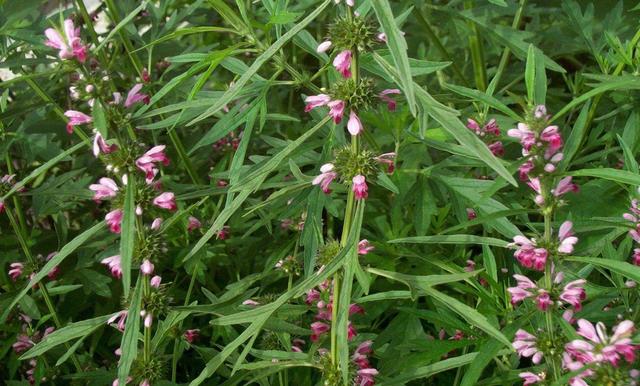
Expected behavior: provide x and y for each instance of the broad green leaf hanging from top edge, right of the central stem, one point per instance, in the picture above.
(398, 48)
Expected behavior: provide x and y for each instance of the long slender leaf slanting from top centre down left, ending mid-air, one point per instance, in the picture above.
(253, 69)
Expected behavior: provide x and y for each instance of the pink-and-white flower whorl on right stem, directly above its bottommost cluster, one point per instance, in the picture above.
(571, 294)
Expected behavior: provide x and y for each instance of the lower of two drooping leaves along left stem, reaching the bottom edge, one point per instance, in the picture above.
(129, 342)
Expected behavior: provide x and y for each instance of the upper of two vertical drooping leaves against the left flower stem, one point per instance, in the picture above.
(128, 234)
